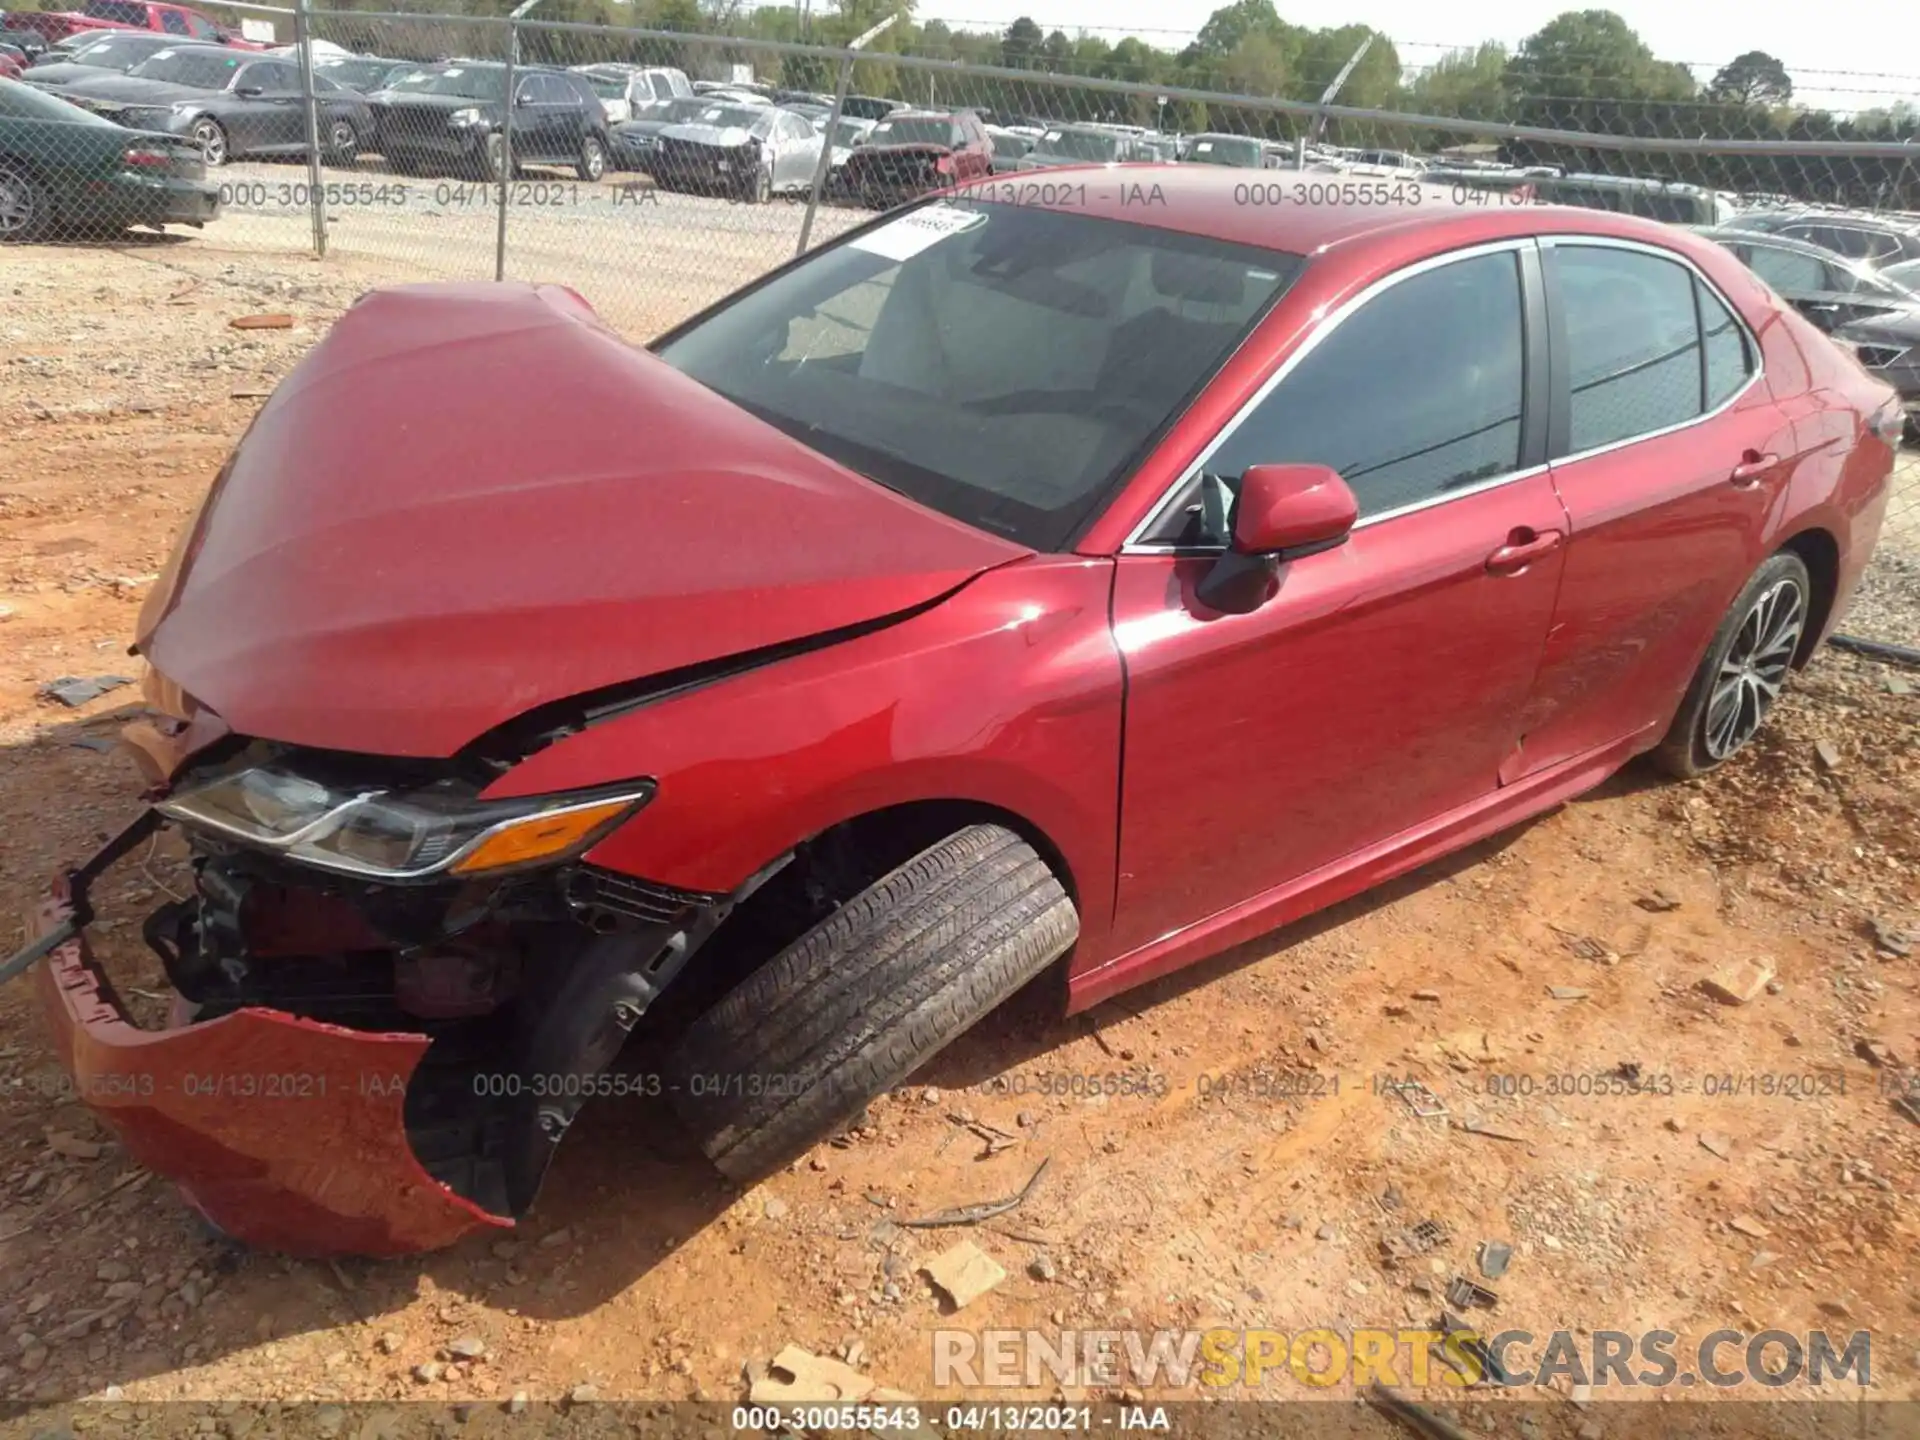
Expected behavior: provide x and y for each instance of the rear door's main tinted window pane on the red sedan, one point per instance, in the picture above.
(1633, 343)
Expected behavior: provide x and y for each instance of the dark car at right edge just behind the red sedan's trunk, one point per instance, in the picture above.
(1863, 310)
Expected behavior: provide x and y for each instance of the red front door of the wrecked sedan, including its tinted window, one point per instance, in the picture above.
(1383, 684)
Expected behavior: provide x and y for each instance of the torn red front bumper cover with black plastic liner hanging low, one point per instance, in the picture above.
(320, 1122)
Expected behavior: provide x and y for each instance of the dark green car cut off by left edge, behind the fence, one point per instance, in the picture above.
(64, 168)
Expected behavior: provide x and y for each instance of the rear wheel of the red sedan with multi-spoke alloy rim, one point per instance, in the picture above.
(1742, 673)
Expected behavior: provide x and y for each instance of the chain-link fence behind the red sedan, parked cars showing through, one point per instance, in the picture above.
(658, 172)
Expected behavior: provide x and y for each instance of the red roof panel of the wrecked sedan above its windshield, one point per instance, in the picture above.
(1209, 201)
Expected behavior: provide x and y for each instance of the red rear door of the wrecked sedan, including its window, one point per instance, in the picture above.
(1669, 458)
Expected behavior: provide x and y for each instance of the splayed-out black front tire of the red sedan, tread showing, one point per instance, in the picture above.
(867, 997)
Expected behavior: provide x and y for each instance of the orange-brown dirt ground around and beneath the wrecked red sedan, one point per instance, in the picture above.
(1234, 1193)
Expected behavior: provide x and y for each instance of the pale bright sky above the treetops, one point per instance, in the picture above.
(1844, 55)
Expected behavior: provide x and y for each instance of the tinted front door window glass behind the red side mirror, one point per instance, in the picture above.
(1412, 396)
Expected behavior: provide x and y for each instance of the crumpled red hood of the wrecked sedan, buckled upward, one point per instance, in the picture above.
(471, 500)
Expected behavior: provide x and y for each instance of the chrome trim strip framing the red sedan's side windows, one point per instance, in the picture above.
(1136, 546)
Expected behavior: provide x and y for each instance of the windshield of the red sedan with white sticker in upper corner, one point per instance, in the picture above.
(999, 364)
